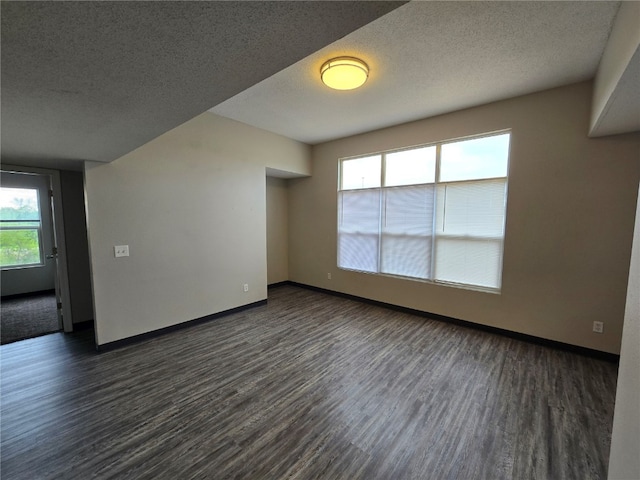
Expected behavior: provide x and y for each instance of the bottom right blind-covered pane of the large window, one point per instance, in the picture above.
(469, 261)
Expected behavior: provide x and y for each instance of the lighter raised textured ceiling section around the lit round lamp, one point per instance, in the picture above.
(429, 58)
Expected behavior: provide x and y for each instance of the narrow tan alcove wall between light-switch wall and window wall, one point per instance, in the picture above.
(277, 230)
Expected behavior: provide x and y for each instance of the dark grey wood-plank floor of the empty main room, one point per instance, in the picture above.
(309, 386)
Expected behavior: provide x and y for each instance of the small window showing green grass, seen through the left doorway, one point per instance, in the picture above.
(20, 228)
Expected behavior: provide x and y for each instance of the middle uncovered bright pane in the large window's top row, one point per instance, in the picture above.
(410, 167)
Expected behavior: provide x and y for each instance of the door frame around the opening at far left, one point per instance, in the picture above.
(58, 226)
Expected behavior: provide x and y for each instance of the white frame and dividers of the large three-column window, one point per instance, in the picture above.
(434, 235)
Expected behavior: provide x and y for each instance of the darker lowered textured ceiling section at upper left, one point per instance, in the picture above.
(95, 80)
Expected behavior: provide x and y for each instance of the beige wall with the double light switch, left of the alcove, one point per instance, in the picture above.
(191, 206)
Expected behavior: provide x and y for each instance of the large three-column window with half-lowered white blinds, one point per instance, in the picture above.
(435, 213)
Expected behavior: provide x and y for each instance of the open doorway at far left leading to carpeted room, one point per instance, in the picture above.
(32, 300)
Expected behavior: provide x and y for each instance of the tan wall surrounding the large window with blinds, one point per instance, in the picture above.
(570, 214)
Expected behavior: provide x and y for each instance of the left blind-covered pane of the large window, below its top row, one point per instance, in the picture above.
(359, 230)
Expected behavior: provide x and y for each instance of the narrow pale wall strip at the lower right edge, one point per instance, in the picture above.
(624, 461)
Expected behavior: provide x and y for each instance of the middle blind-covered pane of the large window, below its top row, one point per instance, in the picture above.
(407, 231)
